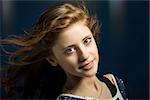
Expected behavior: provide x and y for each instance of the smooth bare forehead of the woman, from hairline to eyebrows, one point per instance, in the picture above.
(73, 34)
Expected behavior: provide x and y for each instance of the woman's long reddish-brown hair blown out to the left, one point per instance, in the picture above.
(29, 61)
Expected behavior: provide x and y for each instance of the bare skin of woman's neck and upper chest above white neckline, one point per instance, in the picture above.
(91, 87)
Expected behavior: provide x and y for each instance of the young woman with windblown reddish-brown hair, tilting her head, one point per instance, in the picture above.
(58, 59)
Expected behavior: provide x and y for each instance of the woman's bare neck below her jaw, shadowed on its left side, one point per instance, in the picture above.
(82, 86)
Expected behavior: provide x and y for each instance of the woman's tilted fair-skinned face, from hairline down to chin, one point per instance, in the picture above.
(76, 52)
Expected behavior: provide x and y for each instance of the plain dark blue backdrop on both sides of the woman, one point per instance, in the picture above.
(124, 44)
